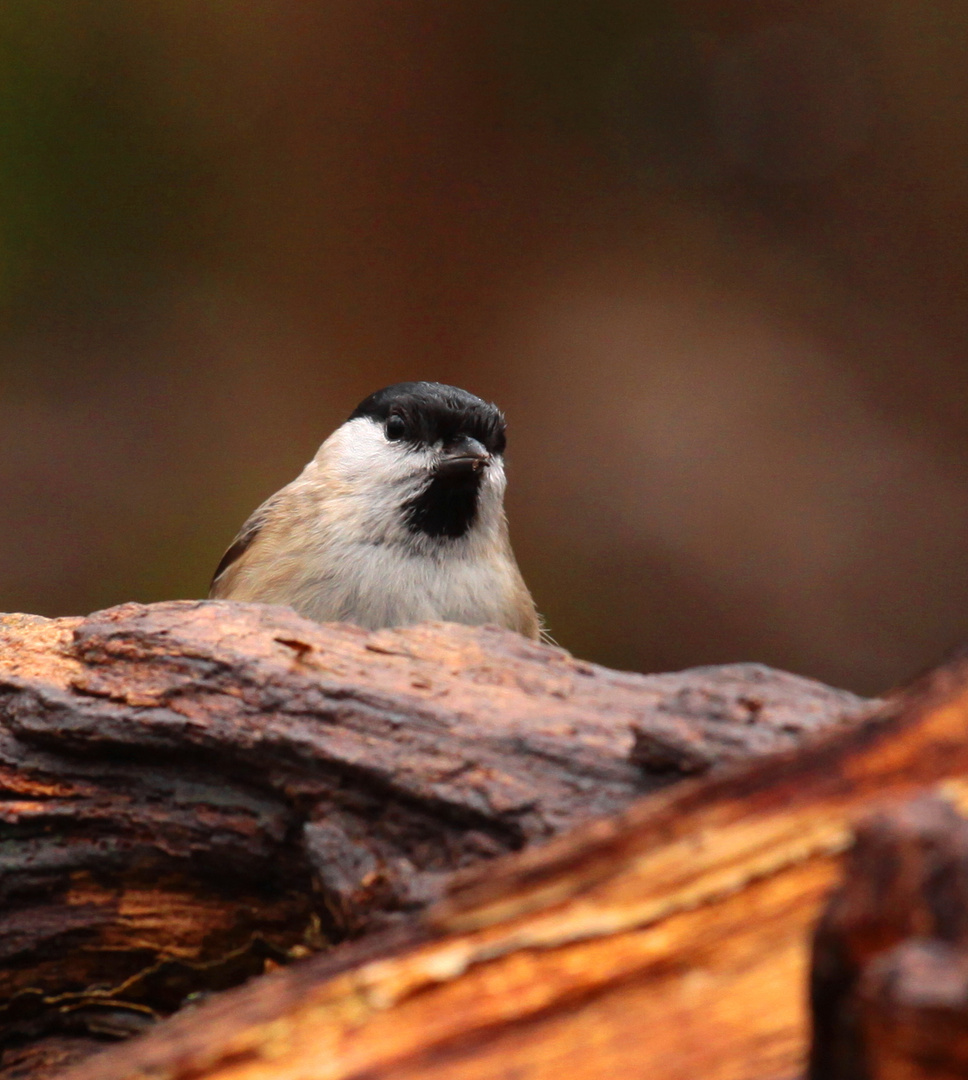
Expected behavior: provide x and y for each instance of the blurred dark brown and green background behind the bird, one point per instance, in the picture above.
(710, 256)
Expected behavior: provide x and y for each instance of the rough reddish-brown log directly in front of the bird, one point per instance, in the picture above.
(192, 792)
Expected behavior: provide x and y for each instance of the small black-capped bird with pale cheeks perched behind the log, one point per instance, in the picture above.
(399, 519)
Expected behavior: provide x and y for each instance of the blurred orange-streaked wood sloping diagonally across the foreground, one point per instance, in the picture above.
(671, 941)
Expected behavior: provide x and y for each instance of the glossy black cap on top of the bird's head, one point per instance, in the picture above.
(433, 412)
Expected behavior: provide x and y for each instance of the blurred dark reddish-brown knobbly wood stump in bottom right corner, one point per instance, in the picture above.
(890, 982)
